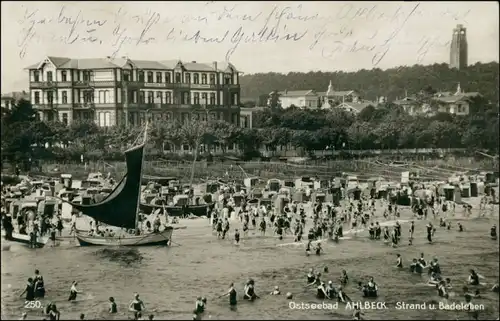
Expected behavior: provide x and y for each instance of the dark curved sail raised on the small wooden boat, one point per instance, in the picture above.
(119, 208)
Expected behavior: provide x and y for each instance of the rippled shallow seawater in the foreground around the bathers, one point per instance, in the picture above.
(197, 264)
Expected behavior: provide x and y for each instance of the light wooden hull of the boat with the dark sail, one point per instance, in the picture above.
(150, 239)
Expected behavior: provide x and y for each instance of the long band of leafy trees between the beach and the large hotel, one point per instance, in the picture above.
(385, 127)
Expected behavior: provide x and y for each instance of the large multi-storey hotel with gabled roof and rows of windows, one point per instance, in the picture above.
(119, 91)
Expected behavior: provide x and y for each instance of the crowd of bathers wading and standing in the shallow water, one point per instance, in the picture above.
(321, 222)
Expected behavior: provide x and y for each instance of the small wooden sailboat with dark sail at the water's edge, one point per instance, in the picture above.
(121, 207)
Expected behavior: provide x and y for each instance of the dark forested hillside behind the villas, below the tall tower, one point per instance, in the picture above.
(372, 83)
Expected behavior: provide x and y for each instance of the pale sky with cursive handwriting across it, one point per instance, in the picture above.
(254, 36)
